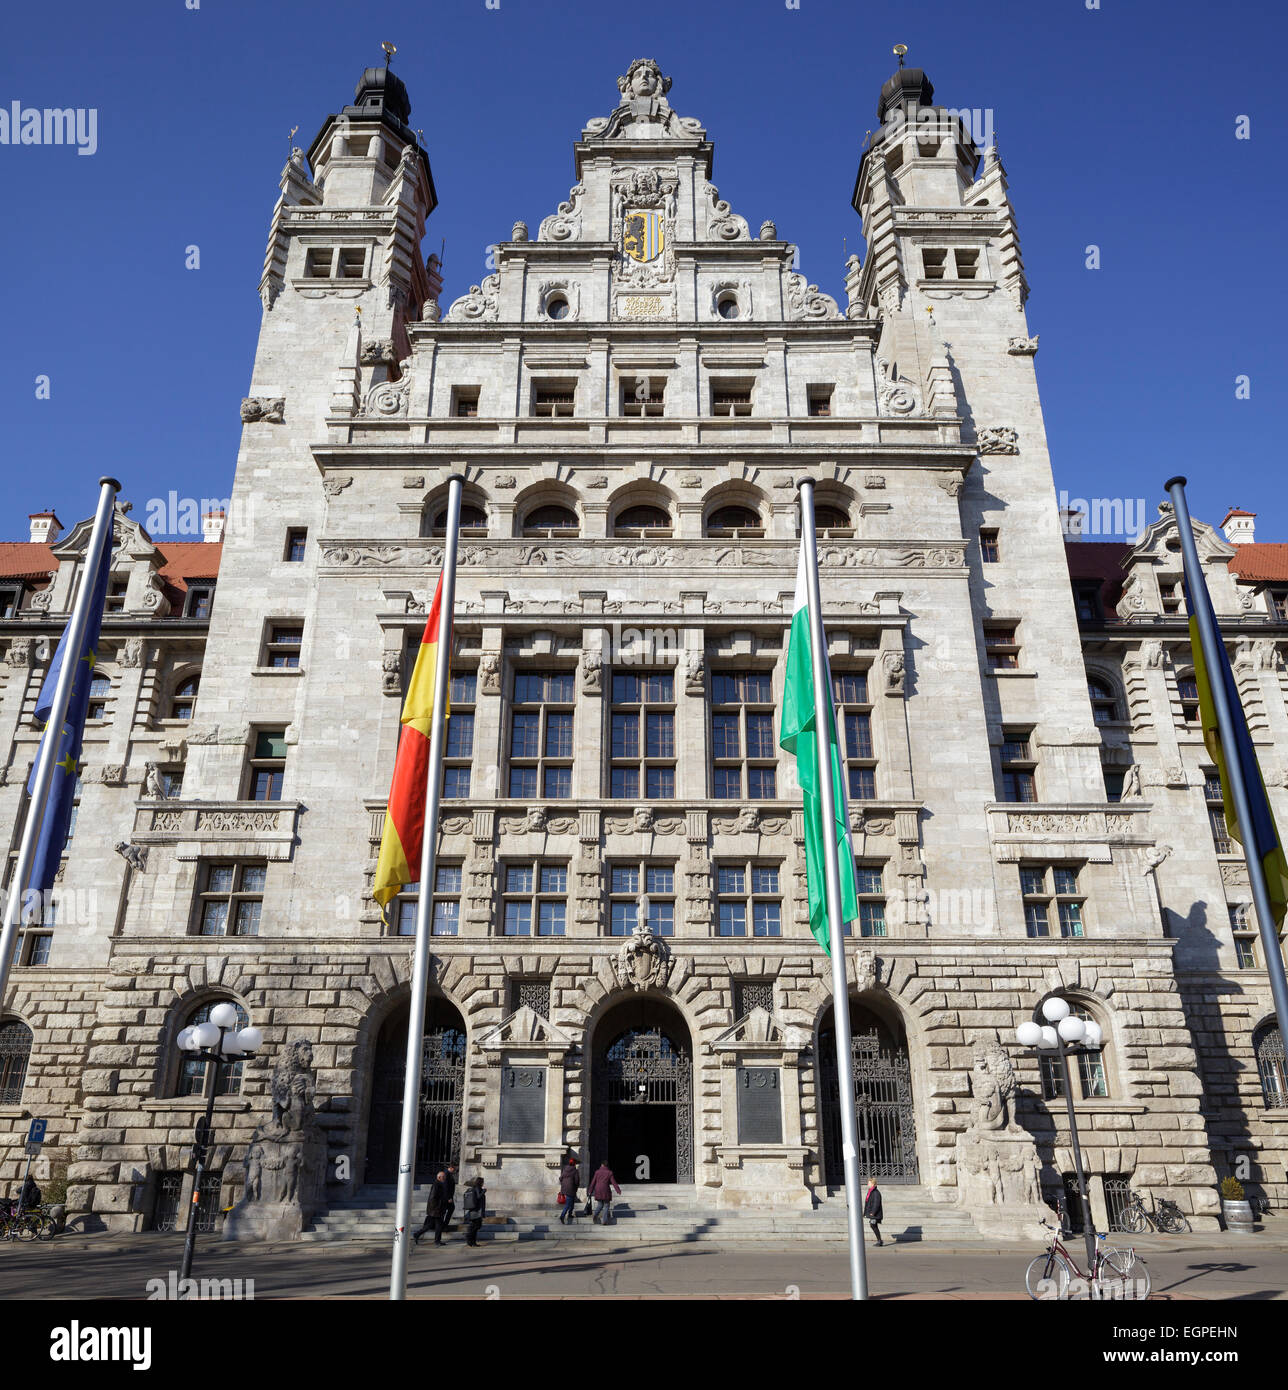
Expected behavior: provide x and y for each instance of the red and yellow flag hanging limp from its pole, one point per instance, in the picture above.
(405, 822)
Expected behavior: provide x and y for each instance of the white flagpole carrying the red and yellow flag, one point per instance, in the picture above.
(420, 970)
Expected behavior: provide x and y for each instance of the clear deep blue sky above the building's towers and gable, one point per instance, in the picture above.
(1116, 127)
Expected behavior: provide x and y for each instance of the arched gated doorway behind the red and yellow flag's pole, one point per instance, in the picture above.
(443, 1092)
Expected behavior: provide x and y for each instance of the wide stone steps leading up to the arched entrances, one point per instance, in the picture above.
(662, 1213)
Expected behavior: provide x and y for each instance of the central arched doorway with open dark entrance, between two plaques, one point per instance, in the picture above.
(643, 1095)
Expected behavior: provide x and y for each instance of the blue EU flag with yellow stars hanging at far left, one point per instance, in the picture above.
(63, 789)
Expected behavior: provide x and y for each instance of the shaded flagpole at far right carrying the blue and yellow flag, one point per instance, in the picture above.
(1211, 640)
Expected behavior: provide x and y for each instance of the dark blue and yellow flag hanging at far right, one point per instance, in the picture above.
(1268, 847)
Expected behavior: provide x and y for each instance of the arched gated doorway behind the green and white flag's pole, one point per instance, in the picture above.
(883, 1100)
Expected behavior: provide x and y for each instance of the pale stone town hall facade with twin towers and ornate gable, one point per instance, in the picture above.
(622, 953)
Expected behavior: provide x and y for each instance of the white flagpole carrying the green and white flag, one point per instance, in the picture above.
(832, 867)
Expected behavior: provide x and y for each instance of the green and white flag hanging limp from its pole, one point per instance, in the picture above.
(797, 736)
